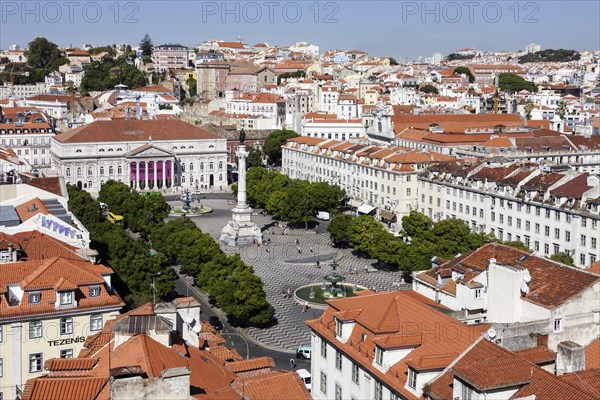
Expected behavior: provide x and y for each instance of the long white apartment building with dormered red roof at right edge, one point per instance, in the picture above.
(549, 210)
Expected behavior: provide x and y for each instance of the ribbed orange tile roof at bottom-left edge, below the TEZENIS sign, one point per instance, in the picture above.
(64, 388)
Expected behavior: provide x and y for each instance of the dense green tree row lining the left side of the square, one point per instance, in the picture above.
(233, 284)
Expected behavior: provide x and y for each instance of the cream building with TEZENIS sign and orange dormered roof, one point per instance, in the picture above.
(47, 310)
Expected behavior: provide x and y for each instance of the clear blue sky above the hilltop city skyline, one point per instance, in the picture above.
(382, 28)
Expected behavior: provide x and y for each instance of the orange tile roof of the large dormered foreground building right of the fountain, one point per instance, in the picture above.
(387, 314)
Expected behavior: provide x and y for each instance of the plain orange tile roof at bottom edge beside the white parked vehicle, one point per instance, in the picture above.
(273, 386)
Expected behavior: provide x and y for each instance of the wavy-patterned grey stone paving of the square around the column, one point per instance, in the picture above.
(282, 267)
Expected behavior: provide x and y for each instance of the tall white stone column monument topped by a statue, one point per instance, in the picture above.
(241, 229)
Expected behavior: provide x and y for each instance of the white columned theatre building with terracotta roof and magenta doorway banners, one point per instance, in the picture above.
(145, 154)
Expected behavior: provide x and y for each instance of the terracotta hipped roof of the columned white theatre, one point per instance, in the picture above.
(134, 130)
